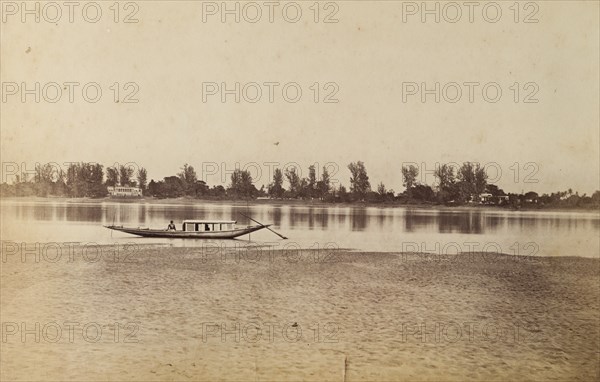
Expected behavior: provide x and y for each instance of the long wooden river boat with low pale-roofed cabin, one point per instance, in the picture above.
(195, 229)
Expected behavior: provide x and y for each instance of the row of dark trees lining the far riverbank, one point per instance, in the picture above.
(467, 184)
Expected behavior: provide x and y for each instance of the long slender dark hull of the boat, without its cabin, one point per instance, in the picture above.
(157, 233)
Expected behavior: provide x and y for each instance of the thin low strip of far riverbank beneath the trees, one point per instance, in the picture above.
(291, 202)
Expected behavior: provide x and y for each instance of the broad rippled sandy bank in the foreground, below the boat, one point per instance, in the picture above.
(189, 315)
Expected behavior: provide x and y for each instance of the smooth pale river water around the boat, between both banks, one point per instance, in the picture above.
(362, 228)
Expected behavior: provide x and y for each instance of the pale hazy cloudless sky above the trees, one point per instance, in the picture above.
(368, 54)
